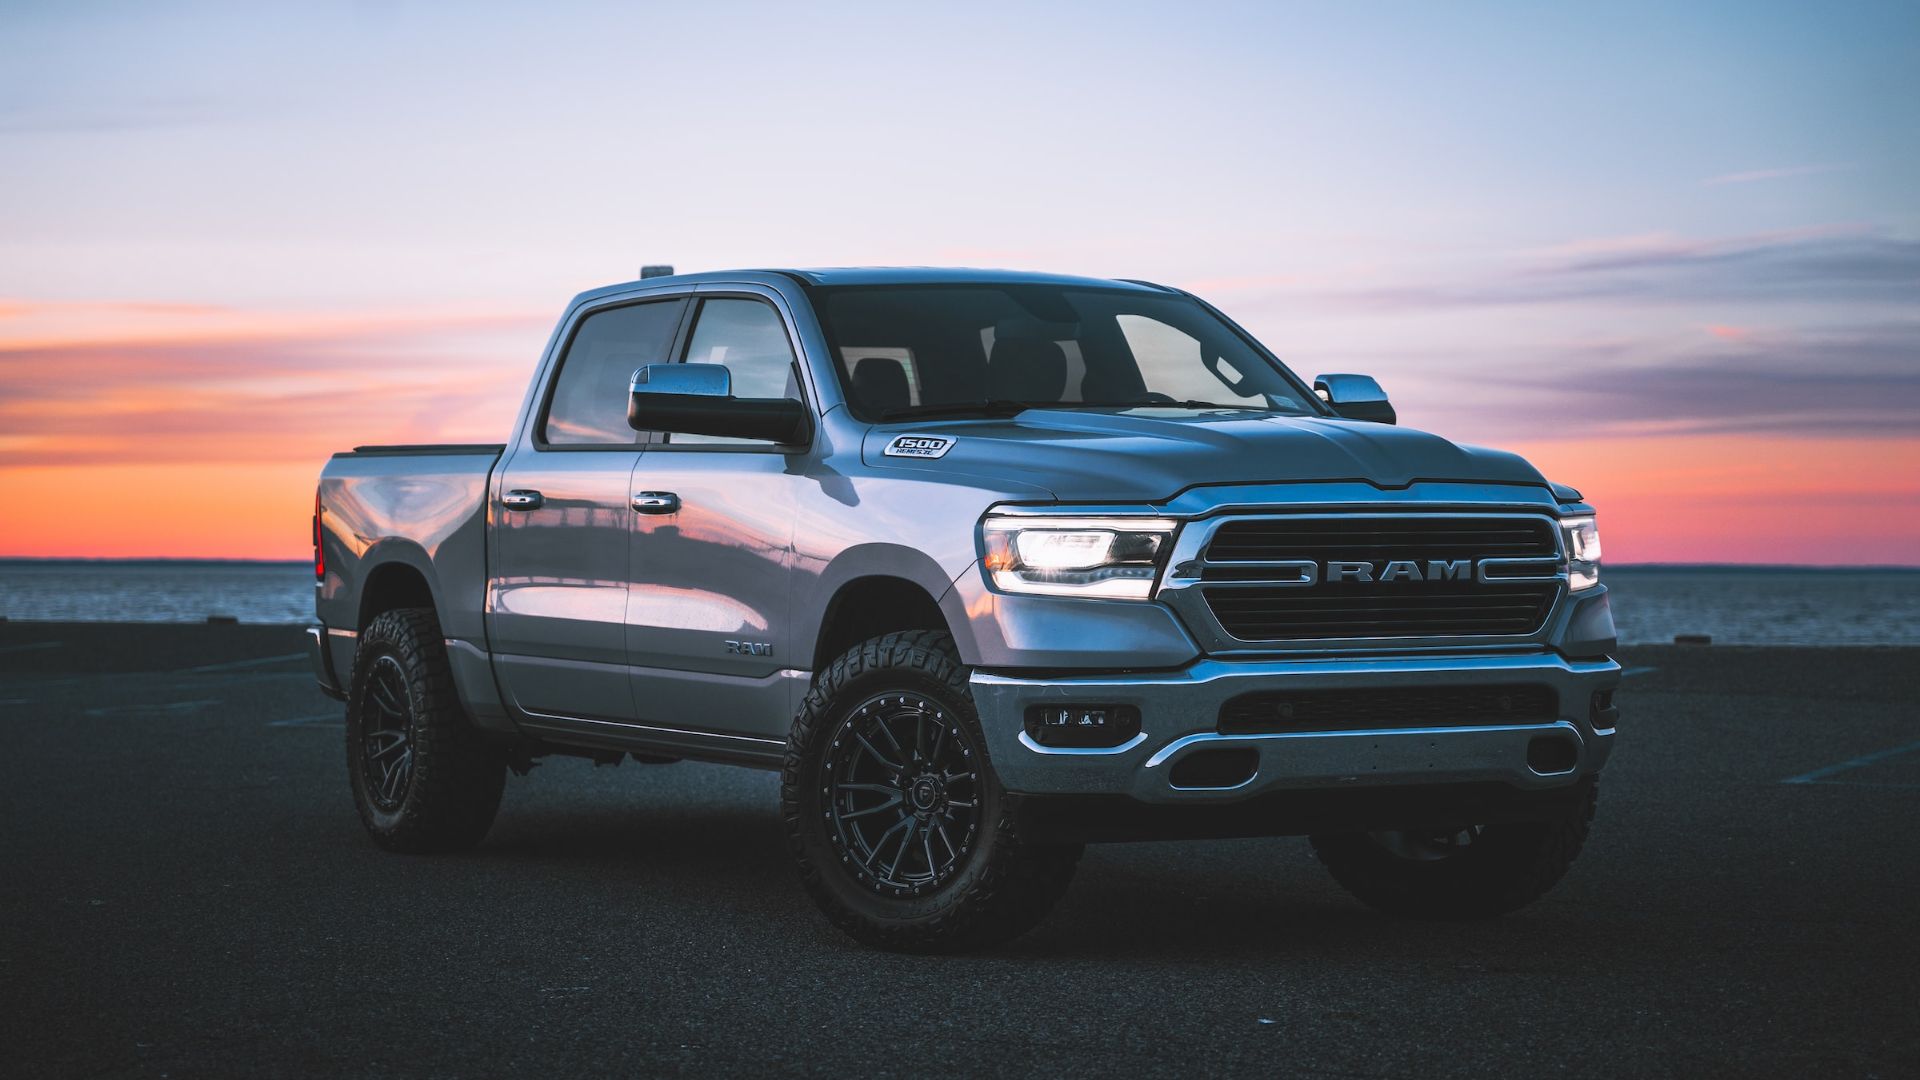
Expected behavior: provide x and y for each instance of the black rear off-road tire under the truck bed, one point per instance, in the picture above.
(456, 779)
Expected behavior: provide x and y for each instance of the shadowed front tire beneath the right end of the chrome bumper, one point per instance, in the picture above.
(1504, 868)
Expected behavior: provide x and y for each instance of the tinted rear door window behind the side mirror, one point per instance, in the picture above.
(588, 406)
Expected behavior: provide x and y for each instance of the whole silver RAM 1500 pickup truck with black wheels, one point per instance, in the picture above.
(988, 566)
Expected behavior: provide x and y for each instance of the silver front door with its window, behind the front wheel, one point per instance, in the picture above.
(708, 616)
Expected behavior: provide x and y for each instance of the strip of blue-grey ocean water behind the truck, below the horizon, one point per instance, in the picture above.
(1752, 606)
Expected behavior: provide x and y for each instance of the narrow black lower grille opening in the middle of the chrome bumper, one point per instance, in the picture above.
(1389, 708)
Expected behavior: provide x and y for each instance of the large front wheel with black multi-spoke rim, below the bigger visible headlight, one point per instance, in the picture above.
(894, 816)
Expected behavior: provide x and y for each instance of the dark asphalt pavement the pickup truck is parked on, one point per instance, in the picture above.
(185, 891)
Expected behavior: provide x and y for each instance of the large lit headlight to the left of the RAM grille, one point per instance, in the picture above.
(1113, 558)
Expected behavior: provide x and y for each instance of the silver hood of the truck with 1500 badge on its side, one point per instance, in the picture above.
(1153, 454)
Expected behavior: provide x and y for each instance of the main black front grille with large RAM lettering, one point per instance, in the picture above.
(1424, 604)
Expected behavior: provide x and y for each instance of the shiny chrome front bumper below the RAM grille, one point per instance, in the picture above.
(1180, 714)
